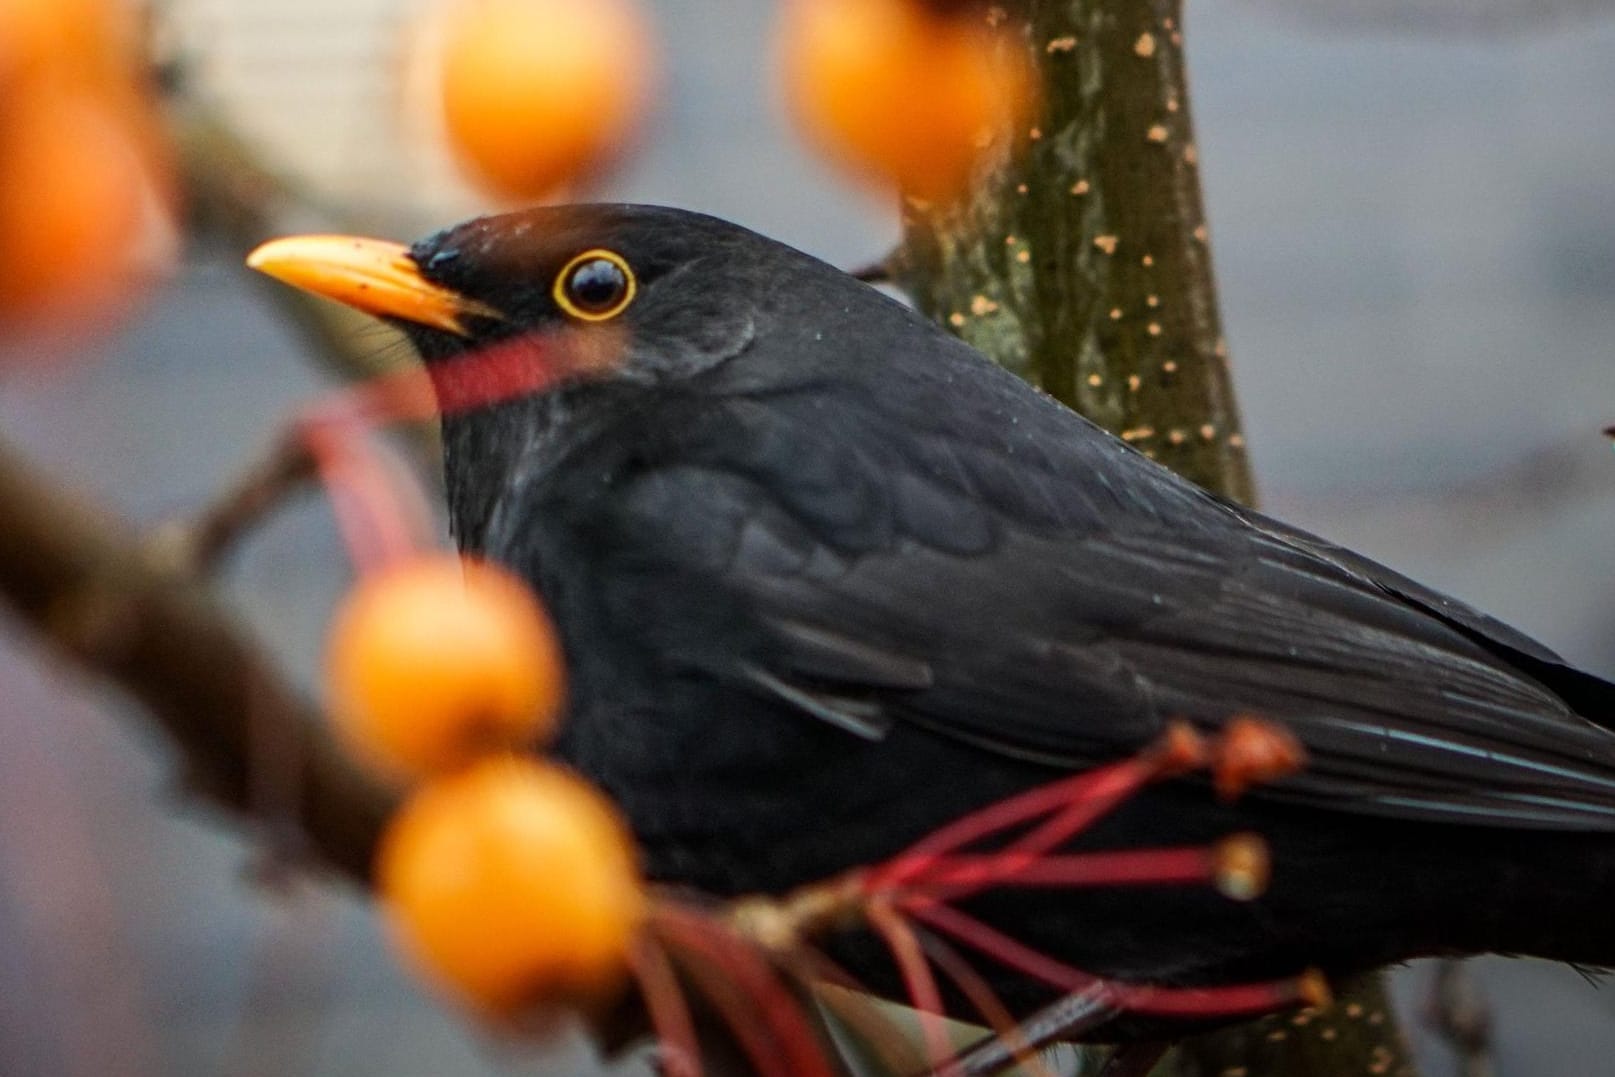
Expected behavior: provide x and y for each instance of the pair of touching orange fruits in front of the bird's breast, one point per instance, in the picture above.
(506, 878)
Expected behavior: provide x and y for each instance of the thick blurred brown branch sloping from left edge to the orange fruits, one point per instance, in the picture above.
(86, 585)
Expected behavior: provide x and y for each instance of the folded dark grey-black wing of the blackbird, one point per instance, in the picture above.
(999, 571)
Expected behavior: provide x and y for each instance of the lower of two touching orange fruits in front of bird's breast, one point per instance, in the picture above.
(514, 884)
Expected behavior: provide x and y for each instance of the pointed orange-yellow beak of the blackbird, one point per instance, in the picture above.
(369, 275)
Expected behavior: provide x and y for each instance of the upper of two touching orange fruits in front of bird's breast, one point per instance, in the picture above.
(437, 660)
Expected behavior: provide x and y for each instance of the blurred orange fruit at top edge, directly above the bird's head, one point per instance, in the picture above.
(542, 93)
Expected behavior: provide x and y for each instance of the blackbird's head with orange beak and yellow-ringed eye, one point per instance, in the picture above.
(605, 291)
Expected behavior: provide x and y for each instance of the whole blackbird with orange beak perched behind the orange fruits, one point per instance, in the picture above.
(829, 579)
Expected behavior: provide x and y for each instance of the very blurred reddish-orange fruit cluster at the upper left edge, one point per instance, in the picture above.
(83, 164)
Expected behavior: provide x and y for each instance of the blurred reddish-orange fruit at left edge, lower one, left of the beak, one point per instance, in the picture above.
(77, 190)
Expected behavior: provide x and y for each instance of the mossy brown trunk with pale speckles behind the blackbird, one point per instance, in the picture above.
(1083, 264)
